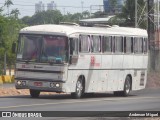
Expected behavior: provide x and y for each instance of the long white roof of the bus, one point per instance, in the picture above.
(69, 30)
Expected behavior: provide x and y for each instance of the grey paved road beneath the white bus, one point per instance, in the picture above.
(144, 100)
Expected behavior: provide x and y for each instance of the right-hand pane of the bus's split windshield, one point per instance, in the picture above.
(54, 49)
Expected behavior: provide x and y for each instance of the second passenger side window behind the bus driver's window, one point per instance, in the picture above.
(95, 43)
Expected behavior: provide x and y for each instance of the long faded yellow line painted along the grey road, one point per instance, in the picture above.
(85, 101)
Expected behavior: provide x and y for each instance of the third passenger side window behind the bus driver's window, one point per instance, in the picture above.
(107, 44)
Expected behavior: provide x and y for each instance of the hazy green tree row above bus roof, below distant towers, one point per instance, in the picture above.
(54, 17)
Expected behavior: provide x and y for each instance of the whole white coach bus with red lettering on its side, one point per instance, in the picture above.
(79, 60)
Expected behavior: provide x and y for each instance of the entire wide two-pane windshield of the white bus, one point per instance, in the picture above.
(39, 48)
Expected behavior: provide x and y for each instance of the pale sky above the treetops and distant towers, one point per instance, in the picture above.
(27, 7)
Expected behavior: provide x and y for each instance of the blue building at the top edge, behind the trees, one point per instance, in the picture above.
(108, 7)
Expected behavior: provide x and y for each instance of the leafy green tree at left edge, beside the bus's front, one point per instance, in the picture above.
(9, 29)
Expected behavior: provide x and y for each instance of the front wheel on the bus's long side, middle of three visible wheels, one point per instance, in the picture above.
(79, 90)
